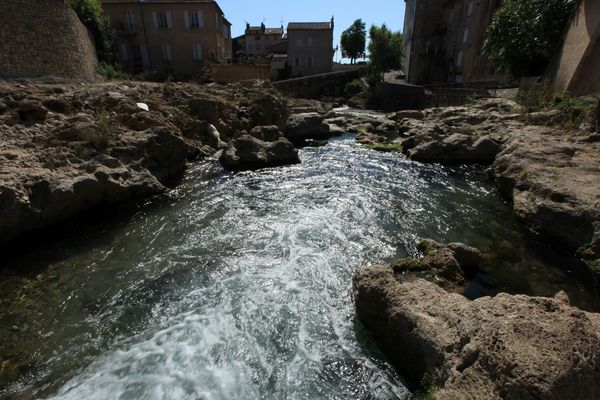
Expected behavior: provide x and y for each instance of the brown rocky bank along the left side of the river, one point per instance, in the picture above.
(67, 149)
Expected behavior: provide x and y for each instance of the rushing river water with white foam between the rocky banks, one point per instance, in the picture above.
(238, 286)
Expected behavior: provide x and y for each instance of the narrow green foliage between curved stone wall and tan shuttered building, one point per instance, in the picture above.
(91, 15)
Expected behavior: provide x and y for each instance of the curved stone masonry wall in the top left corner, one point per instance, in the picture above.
(44, 38)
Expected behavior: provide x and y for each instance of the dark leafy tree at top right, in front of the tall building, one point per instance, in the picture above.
(525, 34)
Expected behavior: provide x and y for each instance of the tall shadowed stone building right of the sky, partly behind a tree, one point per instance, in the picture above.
(443, 41)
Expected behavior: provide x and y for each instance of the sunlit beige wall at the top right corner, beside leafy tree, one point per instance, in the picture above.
(578, 69)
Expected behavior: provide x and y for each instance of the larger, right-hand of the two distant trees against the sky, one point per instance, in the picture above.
(386, 49)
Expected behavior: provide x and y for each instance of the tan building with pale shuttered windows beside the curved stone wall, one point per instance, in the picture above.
(176, 37)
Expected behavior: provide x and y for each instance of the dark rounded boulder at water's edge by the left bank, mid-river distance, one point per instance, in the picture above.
(250, 153)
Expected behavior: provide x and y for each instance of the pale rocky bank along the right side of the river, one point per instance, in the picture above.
(545, 165)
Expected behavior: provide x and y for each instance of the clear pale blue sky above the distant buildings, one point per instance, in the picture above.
(274, 12)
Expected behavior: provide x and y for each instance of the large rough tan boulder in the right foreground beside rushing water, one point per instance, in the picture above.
(502, 348)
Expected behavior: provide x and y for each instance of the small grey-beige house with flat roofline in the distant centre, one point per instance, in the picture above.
(310, 47)
